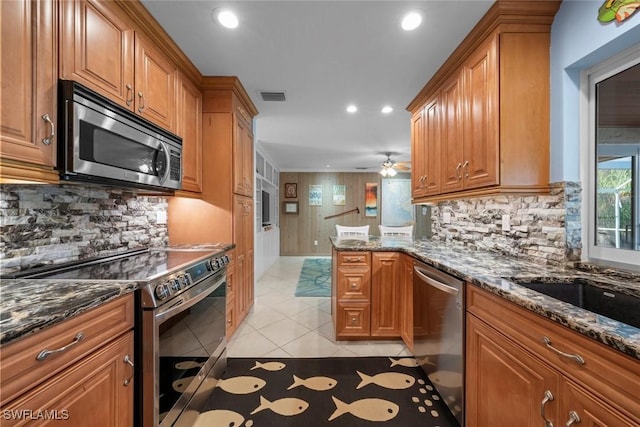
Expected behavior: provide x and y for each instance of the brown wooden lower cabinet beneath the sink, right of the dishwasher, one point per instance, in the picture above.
(514, 379)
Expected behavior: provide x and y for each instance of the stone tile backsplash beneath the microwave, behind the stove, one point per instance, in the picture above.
(48, 224)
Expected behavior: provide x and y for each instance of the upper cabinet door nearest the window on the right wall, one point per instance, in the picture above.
(481, 140)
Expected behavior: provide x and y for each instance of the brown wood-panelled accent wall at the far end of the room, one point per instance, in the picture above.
(298, 232)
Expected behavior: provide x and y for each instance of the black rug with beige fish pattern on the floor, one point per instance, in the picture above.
(340, 391)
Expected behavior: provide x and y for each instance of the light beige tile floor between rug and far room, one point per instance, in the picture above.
(283, 325)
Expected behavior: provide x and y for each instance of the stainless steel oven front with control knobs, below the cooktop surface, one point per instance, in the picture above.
(183, 342)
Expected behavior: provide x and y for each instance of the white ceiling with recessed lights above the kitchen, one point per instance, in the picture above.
(324, 55)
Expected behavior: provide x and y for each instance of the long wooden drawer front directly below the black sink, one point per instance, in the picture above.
(609, 374)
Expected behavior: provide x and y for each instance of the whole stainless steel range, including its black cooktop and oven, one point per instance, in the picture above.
(180, 324)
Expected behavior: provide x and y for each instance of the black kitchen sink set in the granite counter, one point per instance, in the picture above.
(587, 294)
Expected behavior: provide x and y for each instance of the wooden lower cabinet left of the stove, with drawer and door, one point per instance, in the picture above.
(89, 383)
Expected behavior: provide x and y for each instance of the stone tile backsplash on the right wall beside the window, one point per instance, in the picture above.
(542, 228)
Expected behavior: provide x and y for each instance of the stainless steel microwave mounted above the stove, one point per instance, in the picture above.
(105, 143)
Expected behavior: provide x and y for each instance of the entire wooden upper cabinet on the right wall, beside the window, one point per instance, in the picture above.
(480, 126)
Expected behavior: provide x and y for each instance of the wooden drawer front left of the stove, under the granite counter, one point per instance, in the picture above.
(20, 370)
